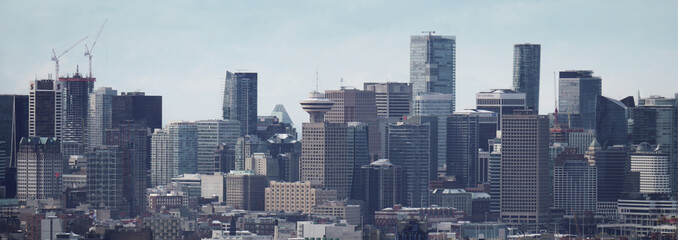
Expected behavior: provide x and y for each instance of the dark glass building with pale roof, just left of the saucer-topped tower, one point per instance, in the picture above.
(287, 150)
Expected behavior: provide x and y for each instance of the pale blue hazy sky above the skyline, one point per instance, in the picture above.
(182, 49)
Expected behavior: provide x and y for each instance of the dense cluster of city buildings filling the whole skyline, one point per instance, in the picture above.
(389, 161)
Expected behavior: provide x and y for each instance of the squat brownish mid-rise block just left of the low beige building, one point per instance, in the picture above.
(246, 191)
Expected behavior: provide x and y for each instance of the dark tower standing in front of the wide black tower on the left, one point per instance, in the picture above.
(134, 141)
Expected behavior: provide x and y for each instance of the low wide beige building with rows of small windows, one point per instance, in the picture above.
(296, 196)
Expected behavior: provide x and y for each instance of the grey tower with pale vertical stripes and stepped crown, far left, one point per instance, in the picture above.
(39, 168)
